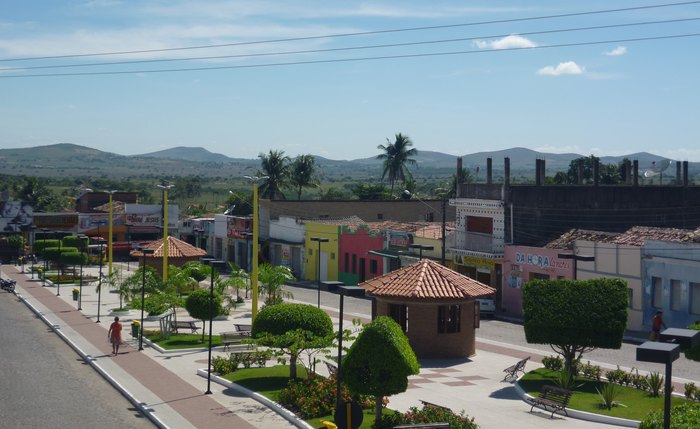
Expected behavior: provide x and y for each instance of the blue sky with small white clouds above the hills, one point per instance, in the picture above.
(339, 78)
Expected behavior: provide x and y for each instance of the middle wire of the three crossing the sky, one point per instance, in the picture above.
(352, 48)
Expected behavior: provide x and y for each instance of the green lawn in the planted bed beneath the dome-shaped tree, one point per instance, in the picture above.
(269, 381)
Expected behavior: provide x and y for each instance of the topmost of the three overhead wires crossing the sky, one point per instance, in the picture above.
(362, 33)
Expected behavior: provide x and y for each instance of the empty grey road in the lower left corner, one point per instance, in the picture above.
(45, 384)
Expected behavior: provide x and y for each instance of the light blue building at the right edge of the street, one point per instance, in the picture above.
(671, 278)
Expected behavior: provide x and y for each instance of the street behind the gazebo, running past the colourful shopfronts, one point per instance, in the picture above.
(513, 334)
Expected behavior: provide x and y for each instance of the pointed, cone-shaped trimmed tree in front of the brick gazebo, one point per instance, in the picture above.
(379, 362)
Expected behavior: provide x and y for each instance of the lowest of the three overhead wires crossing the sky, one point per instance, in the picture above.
(343, 60)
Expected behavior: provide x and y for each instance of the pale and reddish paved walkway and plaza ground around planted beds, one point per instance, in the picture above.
(167, 388)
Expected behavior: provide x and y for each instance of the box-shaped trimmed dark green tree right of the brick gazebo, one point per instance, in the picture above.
(575, 316)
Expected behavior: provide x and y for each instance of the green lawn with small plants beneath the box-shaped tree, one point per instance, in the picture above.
(585, 398)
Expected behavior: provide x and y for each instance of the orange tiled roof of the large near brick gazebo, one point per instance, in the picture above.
(426, 279)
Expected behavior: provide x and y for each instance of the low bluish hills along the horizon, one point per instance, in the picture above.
(70, 160)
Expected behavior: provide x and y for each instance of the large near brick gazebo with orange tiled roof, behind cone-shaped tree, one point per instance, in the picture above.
(434, 305)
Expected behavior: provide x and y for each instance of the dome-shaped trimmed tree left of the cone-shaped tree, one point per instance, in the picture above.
(293, 328)
